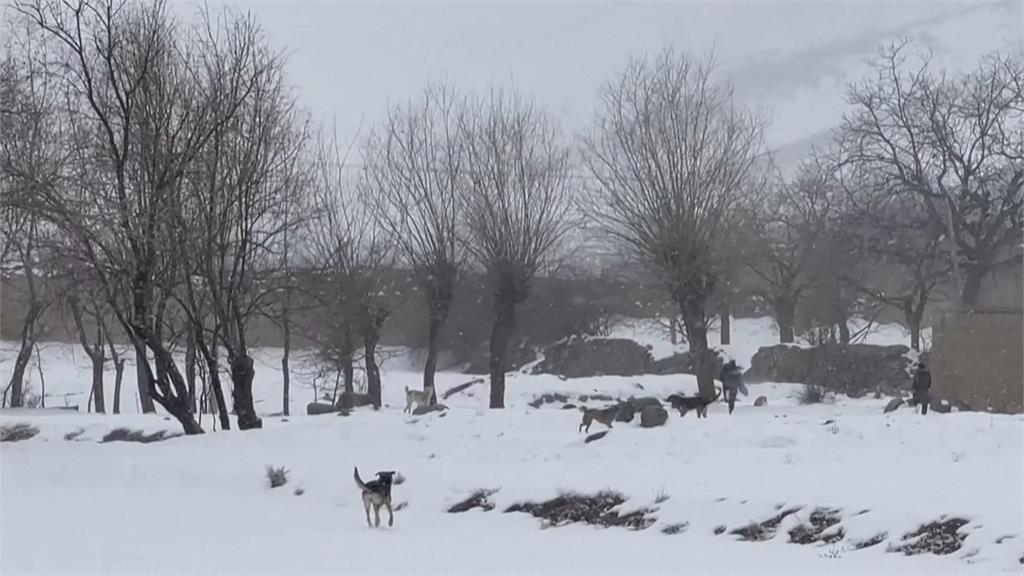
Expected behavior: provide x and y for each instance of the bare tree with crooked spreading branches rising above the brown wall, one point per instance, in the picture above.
(957, 143)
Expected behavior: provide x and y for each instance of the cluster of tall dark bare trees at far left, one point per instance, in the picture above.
(159, 159)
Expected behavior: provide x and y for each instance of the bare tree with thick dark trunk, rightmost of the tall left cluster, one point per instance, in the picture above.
(233, 215)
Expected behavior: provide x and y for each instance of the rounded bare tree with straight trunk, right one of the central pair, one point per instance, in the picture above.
(518, 204)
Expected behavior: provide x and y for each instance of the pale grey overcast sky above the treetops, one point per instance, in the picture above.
(352, 60)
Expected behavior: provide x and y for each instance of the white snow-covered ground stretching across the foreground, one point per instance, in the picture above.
(202, 505)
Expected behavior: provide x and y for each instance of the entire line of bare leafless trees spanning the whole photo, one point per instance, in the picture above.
(160, 180)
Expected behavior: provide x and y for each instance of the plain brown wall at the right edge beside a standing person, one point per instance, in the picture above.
(978, 357)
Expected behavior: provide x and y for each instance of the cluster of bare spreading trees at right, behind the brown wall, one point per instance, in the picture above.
(920, 189)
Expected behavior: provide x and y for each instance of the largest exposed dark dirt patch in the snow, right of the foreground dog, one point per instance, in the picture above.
(598, 510)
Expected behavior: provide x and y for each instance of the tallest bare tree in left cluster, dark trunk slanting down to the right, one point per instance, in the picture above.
(143, 100)
